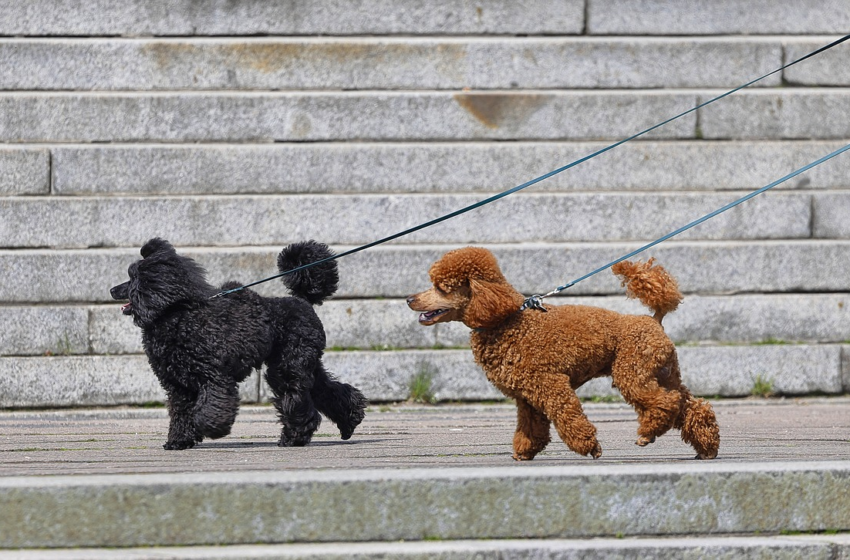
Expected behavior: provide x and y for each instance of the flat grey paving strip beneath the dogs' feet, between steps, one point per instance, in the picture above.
(129, 440)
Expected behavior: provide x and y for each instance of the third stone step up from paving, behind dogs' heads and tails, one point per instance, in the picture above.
(396, 271)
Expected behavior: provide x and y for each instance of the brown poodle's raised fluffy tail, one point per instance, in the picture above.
(651, 284)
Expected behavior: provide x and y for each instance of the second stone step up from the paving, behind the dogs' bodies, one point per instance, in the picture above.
(388, 324)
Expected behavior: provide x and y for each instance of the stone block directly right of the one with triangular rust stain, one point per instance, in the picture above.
(774, 115)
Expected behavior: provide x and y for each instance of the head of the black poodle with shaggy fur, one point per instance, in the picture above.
(159, 281)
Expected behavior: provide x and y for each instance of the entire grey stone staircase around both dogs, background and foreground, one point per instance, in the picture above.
(234, 128)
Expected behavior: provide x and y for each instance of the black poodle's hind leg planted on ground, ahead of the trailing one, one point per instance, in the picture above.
(294, 405)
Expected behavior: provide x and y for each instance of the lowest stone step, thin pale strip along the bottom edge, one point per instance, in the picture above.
(746, 548)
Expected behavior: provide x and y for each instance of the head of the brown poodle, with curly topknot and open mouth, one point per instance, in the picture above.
(468, 287)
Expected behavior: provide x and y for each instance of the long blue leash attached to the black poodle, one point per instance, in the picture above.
(535, 180)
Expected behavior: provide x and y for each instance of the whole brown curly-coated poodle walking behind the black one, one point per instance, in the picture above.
(540, 358)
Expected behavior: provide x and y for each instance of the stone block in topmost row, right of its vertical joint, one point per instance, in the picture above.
(717, 17)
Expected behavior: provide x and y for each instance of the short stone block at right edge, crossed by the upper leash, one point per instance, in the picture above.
(826, 69)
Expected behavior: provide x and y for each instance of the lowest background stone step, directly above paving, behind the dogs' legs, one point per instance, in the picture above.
(450, 375)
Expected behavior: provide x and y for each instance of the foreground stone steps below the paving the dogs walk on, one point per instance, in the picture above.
(429, 513)
